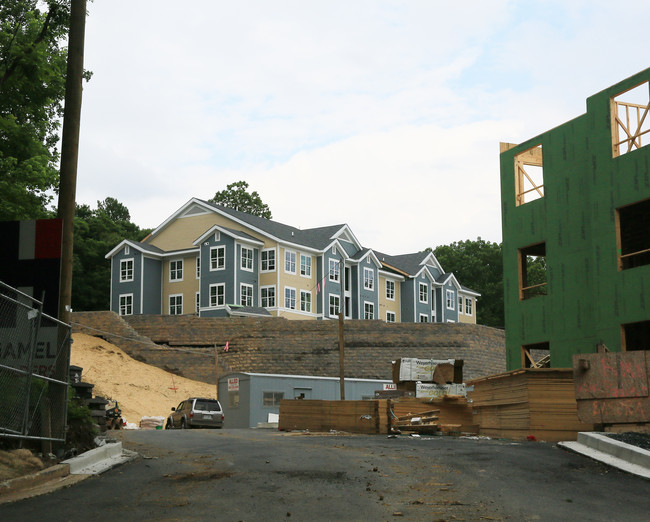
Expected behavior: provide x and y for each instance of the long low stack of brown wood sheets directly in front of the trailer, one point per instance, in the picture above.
(371, 417)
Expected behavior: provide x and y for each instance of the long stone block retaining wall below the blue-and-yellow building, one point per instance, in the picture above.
(187, 344)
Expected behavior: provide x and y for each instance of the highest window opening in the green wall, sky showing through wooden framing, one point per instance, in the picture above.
(630, 119)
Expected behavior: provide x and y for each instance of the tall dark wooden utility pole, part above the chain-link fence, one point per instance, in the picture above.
(70, 150)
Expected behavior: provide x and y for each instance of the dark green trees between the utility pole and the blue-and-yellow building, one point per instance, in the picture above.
(96, 232)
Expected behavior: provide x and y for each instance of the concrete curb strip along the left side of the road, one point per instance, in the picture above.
(66, 473)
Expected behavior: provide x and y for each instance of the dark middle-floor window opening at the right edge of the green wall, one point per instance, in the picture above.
(633, 235)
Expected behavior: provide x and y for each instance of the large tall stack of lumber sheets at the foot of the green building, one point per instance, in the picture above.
(538, 402)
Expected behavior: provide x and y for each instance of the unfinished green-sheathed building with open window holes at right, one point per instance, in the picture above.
(576, 232)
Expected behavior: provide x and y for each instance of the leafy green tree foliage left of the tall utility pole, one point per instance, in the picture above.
(32, 88)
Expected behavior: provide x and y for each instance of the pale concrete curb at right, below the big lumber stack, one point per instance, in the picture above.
(612, 452)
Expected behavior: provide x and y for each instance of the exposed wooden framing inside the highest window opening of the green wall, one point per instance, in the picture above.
(630, 121)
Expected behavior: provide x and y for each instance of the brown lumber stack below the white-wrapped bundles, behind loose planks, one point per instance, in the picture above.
(455, 416)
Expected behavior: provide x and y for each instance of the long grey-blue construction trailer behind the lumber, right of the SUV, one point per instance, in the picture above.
(247, 399)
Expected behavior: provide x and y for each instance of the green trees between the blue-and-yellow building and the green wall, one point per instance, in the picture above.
(478, 265)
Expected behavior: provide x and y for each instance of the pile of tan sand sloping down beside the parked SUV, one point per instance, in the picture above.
(142, 390)
